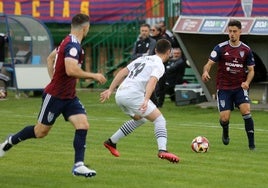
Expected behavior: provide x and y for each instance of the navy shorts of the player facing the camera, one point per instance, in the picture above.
(228, 99)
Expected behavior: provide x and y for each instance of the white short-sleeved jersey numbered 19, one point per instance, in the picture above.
(141, 70)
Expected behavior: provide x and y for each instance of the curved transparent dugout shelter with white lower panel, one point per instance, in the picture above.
(29, 44)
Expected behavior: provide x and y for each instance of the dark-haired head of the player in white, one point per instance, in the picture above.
(163, 49)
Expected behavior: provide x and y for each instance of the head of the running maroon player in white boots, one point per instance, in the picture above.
(81, 22)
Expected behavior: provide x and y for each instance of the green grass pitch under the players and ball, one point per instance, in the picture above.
(47, 162)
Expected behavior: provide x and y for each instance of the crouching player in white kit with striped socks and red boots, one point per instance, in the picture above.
(137, 82)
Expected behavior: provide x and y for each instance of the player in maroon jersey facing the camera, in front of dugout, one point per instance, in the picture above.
(235, 72)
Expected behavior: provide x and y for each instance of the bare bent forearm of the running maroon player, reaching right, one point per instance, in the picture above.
(72, 69)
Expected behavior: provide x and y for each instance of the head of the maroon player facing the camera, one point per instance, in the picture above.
(234, 30)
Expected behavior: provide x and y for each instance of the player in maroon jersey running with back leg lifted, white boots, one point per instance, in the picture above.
(59, 97)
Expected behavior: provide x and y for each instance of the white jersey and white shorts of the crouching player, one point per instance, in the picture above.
(130, 94)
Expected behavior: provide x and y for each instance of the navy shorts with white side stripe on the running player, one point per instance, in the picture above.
(52, 107)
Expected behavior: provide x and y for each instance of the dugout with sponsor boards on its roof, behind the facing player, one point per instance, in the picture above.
(197, 37)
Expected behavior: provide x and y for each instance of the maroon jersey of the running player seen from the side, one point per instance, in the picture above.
(63, 86)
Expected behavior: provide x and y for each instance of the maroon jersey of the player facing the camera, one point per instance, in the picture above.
(232, 64)
